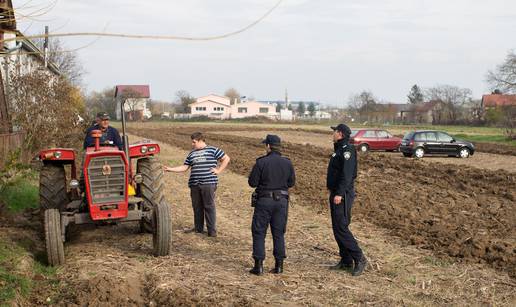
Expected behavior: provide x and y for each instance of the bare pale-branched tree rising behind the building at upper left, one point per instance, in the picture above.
(66, 61)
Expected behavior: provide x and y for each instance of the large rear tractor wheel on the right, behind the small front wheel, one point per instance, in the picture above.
(152, 186)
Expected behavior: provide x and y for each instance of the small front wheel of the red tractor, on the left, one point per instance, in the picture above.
(53, 238)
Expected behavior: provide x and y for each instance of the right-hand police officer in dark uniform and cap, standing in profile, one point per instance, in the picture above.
(342, 171)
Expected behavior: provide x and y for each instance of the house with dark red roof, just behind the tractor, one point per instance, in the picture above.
(136, 98)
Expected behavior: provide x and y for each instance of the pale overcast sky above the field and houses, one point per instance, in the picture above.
(318, 50)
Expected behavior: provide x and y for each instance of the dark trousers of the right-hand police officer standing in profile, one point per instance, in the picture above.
(340, 220)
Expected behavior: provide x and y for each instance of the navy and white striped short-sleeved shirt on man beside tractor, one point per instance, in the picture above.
(201, 161)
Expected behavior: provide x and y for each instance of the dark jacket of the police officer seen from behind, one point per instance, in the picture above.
(272, 173)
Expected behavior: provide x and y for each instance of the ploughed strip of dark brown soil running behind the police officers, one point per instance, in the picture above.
(465, 213)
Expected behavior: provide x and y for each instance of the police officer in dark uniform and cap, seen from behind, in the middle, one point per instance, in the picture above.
(272, 176)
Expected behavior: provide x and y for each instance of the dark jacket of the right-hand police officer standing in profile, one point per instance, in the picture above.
(342, 168)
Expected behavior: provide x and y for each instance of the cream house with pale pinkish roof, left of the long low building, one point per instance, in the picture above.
(212, 106)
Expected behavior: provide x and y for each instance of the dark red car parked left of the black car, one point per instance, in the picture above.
(374, 139)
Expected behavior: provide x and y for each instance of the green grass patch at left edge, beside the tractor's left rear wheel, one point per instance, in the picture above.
(20, 193)
